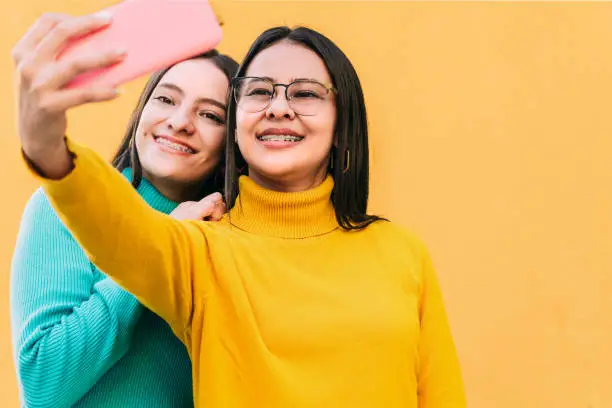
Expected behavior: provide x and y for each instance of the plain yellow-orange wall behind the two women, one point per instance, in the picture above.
(491, 137)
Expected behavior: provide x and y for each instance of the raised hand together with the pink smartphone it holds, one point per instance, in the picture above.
(63, 62)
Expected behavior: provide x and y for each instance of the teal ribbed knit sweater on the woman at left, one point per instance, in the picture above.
(79, 339)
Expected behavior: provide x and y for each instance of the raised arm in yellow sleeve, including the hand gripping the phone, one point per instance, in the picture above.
(148, 253)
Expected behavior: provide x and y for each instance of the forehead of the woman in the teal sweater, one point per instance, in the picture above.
(198, 77)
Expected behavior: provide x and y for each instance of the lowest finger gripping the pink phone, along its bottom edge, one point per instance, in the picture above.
(59, 102)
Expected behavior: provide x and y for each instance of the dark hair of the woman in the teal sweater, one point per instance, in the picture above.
(127, 154)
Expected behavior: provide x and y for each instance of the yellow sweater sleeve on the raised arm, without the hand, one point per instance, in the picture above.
(153, 256)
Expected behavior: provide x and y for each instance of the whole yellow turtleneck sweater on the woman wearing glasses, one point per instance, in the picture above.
(277, 305)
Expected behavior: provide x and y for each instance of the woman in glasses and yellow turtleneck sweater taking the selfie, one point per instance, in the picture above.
(298, 298)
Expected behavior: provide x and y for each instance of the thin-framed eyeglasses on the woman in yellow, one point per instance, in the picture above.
(304, 96)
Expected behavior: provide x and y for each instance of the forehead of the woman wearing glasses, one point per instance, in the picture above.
(286, 61)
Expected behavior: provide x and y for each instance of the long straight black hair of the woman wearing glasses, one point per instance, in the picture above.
(349, 165)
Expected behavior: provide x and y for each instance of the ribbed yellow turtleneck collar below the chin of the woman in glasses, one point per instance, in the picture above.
(296, 215)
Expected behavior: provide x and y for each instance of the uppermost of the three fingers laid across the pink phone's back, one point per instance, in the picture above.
(70, 29)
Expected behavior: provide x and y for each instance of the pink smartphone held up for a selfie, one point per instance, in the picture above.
(154, 33)
